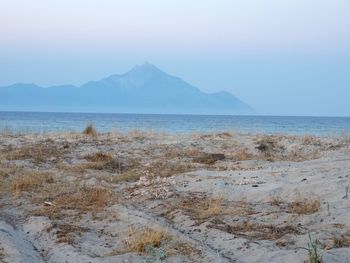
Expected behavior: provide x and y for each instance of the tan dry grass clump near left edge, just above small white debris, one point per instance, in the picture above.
(30, 181)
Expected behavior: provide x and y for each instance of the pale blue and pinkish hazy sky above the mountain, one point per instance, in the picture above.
(289, 57)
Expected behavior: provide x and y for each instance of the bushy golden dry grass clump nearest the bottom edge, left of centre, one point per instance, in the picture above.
(139, 241)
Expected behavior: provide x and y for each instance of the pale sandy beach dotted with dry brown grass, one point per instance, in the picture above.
(152, 197)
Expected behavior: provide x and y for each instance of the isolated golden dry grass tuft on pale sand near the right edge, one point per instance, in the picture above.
(304, 206)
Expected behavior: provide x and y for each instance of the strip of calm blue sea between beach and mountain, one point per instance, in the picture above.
(28, 122)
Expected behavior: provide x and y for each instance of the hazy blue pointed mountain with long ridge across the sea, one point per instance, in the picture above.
(144, 89)
